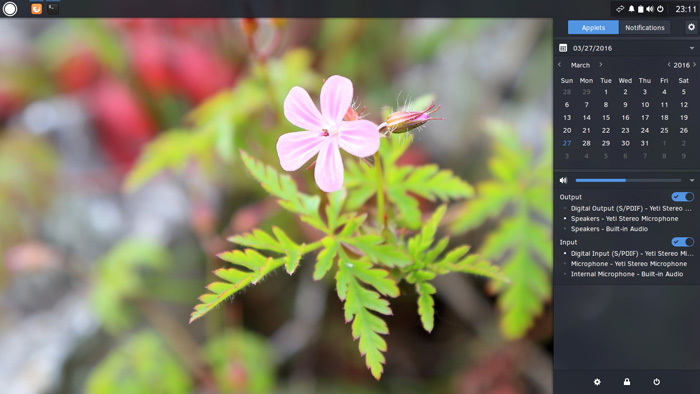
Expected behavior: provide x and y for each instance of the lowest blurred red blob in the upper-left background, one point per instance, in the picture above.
(123, 123)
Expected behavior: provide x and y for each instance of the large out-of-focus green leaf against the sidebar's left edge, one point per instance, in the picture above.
(520, 198)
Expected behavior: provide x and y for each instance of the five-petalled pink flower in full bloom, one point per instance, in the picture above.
(325, 132)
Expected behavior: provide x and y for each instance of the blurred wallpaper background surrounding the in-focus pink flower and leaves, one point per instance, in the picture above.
(120, 181)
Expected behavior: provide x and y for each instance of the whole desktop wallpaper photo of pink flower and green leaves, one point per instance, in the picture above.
(275, 206)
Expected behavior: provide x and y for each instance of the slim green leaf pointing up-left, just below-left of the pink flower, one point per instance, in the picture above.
(284, 188)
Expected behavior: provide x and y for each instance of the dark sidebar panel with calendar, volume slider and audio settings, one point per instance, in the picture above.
(627, 176)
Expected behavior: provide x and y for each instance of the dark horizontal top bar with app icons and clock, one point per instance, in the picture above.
(326, 8)
